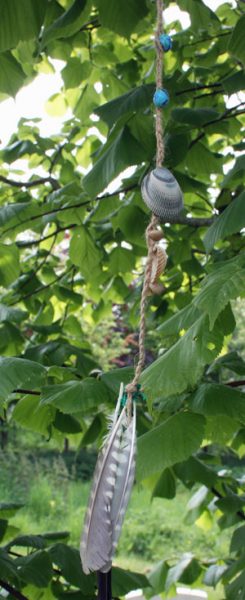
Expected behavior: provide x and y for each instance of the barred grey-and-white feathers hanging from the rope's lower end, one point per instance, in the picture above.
(110, 493)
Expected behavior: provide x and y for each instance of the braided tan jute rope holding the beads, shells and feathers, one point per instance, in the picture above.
(131, 387)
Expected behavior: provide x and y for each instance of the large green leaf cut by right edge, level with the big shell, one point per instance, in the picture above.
(231, 220)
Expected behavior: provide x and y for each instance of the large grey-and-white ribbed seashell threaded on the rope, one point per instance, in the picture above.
(162, 194)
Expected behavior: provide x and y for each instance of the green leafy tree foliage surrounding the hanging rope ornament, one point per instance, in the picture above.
(71, 256)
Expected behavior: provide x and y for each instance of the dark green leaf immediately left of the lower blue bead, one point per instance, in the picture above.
(133, 101)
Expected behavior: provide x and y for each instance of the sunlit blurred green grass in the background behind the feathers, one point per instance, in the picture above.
(152, 532)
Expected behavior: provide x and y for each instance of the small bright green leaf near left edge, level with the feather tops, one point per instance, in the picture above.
(29, 414)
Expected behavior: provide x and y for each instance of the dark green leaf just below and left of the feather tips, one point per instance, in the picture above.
(68, 560)
